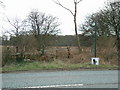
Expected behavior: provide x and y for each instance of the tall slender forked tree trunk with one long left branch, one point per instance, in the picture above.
(74, 14)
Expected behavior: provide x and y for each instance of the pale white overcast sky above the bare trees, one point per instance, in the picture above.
(21, 8)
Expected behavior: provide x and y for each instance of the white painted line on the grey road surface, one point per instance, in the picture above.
(55, 86)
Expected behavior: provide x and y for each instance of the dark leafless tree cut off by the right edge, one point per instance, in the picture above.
(112, 18)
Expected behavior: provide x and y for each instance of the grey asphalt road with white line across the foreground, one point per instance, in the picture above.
(69, 79)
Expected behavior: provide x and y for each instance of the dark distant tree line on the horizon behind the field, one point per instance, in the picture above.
(58, 40)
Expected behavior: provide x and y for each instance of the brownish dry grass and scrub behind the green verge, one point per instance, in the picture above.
(105, 51)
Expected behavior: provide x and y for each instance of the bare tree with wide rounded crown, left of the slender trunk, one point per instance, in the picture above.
(43, 26)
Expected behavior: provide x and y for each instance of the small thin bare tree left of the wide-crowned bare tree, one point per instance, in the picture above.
(16, 34)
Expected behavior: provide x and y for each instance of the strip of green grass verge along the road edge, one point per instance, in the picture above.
(55, 65)
